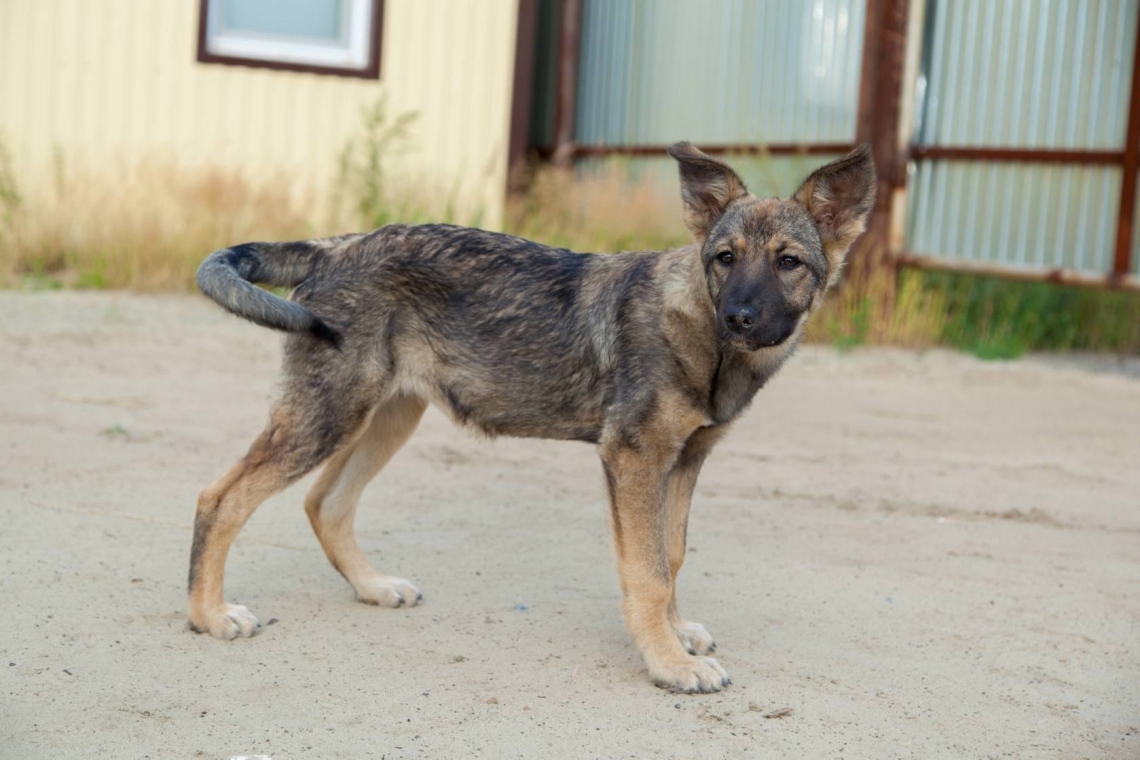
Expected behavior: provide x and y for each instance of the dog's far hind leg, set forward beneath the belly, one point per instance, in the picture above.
(332, 503)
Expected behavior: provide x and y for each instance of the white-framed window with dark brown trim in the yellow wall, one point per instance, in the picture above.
(324, 37)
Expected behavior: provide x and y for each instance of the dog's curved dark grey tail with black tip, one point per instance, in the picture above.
(229, 277)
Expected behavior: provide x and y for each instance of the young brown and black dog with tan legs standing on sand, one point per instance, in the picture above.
(648, 356)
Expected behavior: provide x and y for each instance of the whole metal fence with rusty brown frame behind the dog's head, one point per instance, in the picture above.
(1019, 157)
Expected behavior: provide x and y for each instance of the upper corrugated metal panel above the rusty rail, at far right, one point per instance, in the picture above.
(1029, 73)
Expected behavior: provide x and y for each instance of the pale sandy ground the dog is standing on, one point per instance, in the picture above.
(919, 555)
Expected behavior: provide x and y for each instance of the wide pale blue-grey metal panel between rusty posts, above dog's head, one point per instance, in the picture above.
(720, 71)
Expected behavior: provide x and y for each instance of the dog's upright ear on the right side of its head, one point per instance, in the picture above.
(841, 198)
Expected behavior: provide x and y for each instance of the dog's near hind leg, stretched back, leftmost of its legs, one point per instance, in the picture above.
(304, 431)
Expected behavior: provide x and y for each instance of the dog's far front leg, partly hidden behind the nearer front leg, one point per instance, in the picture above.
(679, 497)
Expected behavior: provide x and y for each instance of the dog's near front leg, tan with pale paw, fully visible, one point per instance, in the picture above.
(637, 479)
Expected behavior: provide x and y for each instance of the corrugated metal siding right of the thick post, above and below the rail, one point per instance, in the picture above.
(1049, 75)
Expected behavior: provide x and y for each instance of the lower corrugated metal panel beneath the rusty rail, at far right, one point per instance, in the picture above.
(1038, 217)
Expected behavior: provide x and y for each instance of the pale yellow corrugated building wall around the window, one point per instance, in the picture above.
(107, 80)
